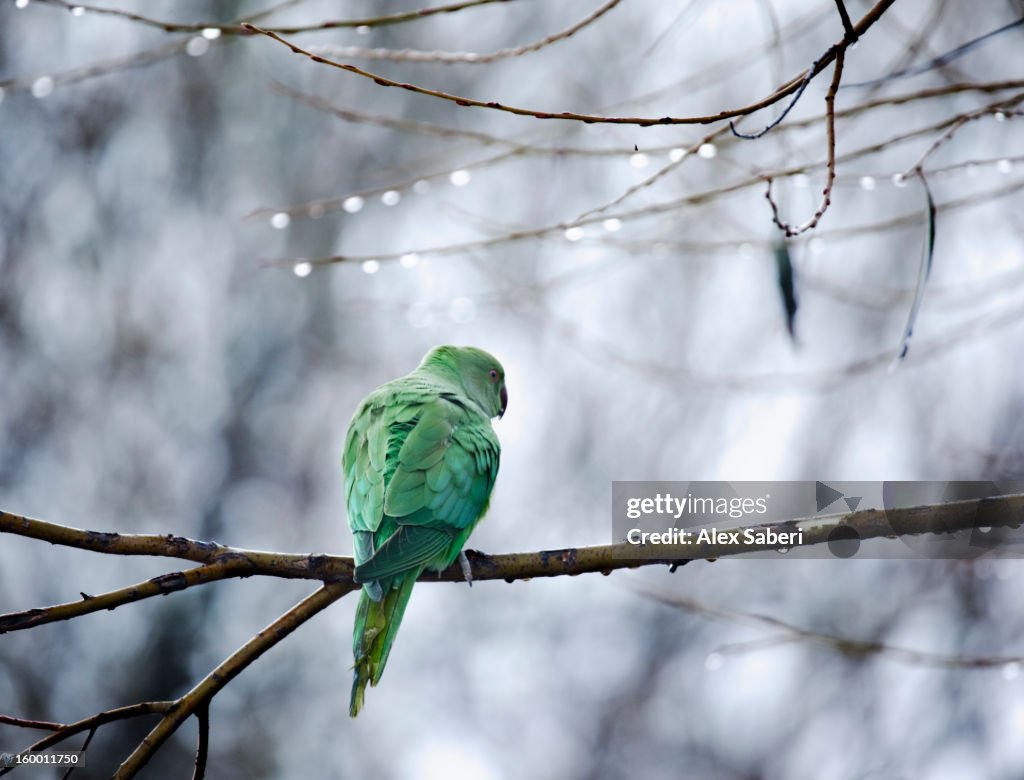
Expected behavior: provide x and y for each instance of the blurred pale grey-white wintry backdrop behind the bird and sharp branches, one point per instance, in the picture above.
(159, 374)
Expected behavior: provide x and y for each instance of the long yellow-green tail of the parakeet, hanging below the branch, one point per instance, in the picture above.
(376, 627)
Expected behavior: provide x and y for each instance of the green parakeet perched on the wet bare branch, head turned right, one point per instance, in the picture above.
(420, 462)
